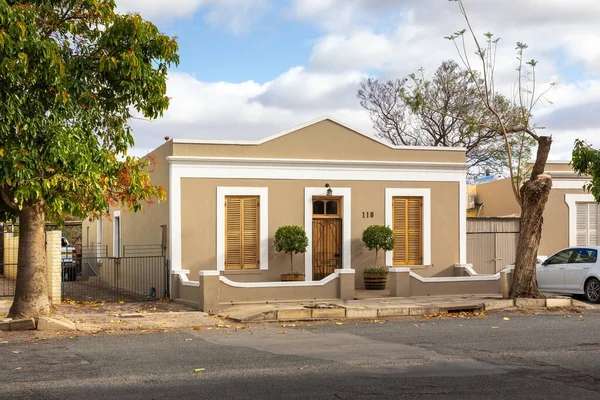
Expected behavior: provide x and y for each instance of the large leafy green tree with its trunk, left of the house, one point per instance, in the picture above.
(71, 74)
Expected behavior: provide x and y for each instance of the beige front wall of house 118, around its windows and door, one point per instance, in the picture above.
(286, 207)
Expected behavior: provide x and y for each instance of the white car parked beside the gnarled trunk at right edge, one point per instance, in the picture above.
(575, 270)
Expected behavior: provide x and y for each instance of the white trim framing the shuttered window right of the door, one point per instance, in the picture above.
(390, 193)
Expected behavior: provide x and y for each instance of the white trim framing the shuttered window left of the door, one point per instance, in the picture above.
(263, 194)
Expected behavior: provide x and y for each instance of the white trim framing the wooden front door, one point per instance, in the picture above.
(346, 195)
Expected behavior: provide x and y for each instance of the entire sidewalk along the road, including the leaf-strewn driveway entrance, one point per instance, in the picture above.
(161, 316)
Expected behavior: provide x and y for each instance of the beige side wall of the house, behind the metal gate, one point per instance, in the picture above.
(142, 227)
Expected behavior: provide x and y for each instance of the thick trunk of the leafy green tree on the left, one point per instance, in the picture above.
(31, 294)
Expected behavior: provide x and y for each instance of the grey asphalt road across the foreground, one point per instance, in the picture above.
(525, 357)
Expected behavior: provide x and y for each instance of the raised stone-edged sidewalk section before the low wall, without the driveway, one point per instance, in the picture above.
(381, 307)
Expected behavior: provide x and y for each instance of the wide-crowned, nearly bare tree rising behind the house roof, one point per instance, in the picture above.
(437, 112)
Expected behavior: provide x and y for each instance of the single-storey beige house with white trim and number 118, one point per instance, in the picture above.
(226, 199)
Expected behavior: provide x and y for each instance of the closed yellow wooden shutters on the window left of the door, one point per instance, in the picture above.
(241, 232)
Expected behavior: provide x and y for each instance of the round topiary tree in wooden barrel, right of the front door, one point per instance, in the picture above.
(377, 237)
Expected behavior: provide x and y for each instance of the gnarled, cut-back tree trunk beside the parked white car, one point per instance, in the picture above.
(534, 196)
